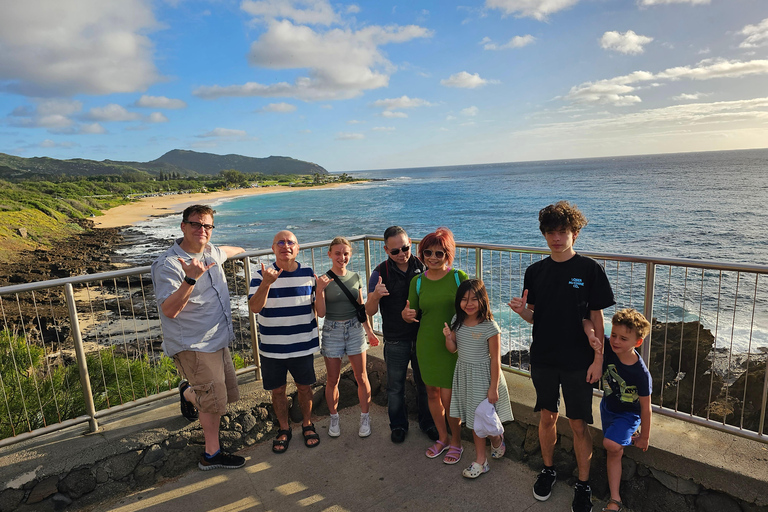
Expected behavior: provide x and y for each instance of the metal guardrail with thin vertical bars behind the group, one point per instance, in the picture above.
(77, 349)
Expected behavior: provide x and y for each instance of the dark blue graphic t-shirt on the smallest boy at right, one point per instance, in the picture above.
(623, 385)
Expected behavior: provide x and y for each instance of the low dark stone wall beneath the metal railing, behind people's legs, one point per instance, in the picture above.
(644, 488)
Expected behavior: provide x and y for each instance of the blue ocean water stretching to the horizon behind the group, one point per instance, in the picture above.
(707, 206)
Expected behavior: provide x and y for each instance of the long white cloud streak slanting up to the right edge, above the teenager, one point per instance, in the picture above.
(617, 91)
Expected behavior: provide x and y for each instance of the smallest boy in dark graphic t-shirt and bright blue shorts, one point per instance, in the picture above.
(627, 386)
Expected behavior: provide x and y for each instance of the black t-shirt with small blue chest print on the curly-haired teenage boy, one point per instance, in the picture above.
(563, 294)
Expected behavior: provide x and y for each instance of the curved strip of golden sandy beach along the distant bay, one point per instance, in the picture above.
(148, 207)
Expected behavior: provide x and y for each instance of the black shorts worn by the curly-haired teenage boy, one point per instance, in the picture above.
(577, 392)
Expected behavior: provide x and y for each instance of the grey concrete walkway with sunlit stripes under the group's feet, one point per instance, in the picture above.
(348, 473)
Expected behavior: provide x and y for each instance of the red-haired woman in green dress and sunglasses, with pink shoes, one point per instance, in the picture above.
(431, 303)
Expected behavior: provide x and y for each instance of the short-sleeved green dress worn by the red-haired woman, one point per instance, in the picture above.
(436, 300)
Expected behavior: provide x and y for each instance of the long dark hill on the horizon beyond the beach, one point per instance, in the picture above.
(180, 161)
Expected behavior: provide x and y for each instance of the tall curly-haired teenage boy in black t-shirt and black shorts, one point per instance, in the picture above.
(559, 292)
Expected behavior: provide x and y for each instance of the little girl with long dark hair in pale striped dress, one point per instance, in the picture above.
(475, 335)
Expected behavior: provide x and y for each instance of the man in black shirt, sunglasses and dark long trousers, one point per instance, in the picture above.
(388, 292)
